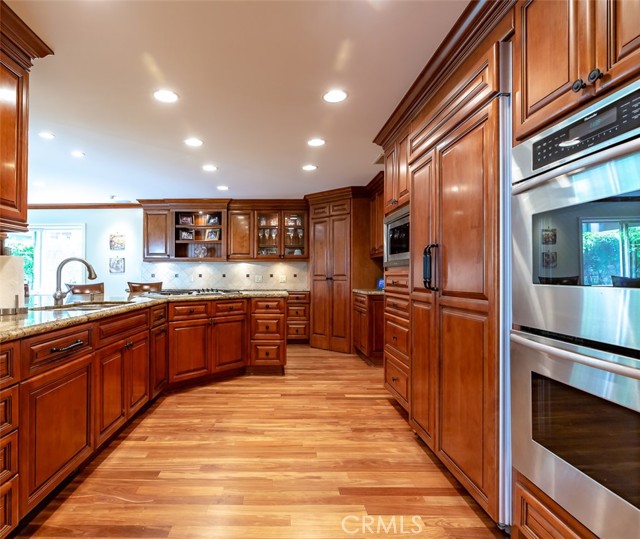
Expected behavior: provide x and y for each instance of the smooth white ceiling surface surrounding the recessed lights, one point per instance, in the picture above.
(250, 75)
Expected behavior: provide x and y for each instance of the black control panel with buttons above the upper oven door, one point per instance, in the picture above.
(594, 128)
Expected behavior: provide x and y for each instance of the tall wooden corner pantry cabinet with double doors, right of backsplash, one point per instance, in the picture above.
(340, 261)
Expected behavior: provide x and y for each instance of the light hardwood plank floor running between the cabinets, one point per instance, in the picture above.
(321, 453)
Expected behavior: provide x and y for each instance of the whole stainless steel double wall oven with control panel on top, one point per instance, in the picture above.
(575, 360)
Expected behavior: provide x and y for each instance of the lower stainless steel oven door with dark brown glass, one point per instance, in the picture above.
(576, 430)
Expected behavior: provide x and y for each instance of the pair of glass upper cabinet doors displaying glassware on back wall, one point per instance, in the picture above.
(281, 234)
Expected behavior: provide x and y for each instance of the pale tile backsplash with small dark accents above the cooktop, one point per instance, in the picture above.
(229, 275)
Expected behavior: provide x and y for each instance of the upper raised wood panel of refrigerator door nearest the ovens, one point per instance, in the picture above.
(467, 168)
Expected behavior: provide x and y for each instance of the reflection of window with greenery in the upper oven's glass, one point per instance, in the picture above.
(610, 247)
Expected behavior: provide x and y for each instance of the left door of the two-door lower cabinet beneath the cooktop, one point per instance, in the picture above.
(188, 350)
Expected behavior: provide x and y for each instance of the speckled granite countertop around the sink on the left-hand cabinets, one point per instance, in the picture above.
(36, 321)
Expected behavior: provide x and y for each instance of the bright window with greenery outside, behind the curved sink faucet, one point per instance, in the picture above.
(43, 248)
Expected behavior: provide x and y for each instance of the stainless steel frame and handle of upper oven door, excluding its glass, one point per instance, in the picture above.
(600, 313)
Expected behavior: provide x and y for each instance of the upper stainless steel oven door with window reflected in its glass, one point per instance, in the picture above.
(576, 248)
